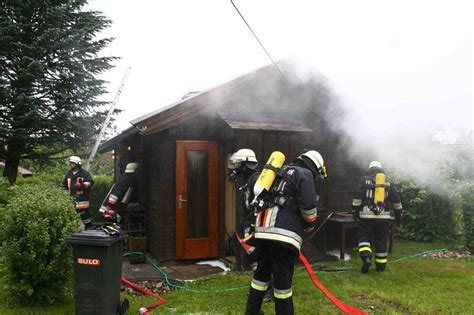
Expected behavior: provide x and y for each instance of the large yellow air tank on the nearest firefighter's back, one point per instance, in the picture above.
(268, 175)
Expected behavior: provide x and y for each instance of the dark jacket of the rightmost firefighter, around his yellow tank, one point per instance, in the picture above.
(363, 199)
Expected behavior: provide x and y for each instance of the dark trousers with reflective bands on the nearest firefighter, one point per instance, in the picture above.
(279, 261)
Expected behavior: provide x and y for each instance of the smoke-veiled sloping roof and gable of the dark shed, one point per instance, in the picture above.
(258, 100)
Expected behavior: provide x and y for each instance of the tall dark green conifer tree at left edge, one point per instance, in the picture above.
(49, 63)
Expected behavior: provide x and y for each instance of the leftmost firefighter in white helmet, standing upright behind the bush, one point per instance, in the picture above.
(78, 182)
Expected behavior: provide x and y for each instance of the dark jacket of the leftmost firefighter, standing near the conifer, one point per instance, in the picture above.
(79, 185)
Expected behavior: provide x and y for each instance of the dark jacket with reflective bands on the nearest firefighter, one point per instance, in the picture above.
(285, 222)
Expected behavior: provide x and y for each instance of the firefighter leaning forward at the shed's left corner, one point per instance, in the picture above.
(124, 190)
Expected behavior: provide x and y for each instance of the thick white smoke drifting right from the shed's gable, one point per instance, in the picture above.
(413, 123)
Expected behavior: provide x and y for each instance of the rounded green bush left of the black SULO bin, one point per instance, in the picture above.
(37, 261)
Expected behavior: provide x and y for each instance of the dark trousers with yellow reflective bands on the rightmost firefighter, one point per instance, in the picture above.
(376, 230)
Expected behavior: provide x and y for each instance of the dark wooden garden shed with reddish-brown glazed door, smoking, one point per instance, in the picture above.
(191, 207)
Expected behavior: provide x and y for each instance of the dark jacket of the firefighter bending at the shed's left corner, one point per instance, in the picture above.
(123, 192)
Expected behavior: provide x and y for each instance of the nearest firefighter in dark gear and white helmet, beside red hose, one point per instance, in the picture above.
(280, 228)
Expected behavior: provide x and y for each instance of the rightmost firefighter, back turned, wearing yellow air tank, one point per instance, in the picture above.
(375, 205)
